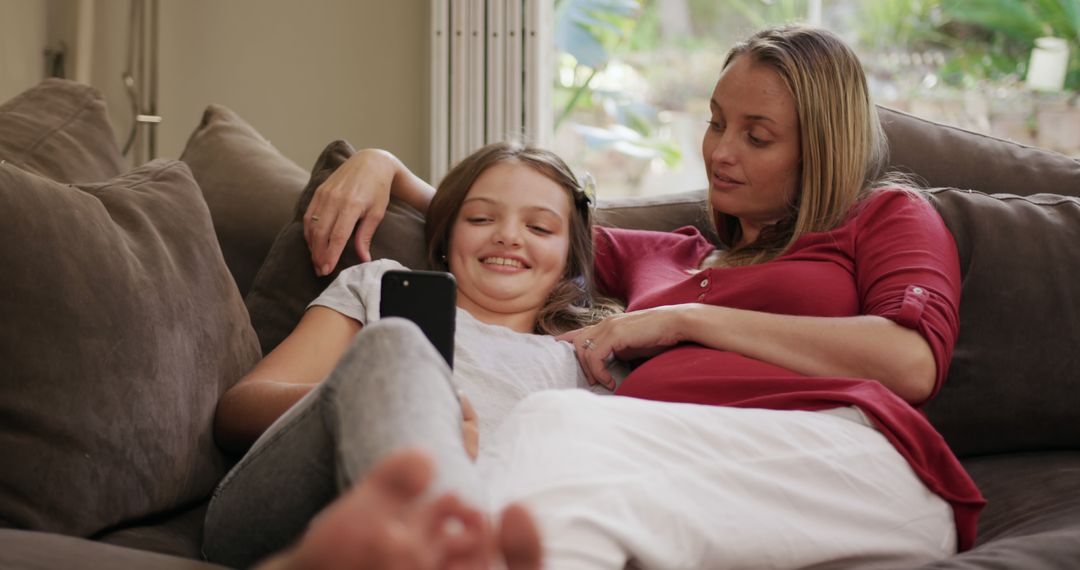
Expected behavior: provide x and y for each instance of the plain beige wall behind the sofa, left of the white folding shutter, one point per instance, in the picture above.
(303, 73)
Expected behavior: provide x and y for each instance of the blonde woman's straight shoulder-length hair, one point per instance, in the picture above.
(844, 150)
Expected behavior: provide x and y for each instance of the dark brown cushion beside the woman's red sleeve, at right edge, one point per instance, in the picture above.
(1015, 379)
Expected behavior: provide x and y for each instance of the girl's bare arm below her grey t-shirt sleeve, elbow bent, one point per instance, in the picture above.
(282, 377)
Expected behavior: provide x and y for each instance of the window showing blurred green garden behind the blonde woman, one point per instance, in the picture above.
(632, 77)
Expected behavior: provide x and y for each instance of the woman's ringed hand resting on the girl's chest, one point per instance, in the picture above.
(628, 336)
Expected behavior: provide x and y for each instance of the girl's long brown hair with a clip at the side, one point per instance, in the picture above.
(573, 303)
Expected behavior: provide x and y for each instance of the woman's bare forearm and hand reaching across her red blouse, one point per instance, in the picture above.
(857, 347)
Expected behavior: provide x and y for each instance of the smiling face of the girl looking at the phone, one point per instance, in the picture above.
(509, 246)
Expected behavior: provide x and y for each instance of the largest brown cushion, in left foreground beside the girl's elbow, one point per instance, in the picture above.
(121, 329)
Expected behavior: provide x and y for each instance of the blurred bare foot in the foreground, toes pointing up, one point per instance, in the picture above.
(382, 524)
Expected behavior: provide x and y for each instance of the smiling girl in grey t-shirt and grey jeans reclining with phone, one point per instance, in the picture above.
(514, 226)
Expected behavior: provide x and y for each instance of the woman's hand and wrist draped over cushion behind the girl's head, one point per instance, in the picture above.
(359, 191)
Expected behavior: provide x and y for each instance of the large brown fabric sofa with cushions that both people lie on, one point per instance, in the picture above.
(132, 298)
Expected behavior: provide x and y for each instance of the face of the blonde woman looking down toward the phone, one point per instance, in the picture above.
(752, 147)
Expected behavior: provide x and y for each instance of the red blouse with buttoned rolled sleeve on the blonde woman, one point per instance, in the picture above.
(893, 257)
